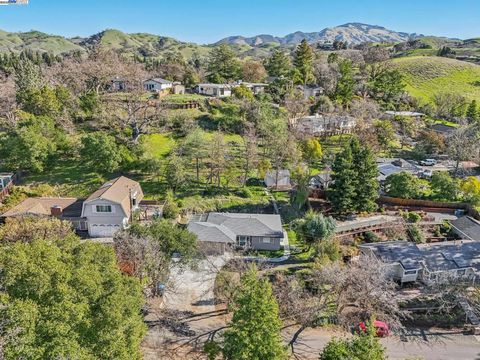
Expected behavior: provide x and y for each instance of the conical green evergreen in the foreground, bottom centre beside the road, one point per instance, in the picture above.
(254, 332)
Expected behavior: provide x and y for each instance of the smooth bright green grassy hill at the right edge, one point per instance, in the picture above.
(426, 76)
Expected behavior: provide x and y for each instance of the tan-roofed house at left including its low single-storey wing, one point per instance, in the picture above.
(106, 211)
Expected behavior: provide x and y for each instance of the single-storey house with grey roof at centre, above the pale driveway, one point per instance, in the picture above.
(222, 231)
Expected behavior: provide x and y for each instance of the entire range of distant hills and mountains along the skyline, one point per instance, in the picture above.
(157, 46)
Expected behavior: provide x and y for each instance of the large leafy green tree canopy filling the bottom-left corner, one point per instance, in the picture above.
(65, 299)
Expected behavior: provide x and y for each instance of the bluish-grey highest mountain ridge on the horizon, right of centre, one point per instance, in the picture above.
(352, 33)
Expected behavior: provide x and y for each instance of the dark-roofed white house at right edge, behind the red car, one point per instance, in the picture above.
(405, 261)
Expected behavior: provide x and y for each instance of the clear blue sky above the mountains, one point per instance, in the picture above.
(206, 21)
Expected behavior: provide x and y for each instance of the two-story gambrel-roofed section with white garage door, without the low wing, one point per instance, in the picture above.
(109, 209)
